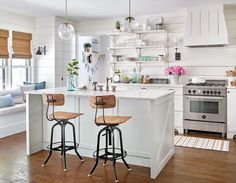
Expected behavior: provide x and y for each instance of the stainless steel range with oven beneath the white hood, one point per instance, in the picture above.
(205, 106)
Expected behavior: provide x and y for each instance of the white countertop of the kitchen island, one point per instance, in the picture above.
(142, 94)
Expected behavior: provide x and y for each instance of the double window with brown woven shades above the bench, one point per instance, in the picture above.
(17, 69)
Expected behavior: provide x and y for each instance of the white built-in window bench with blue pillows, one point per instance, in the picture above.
(13, 108)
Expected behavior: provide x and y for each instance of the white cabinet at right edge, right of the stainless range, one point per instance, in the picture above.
(231, 113)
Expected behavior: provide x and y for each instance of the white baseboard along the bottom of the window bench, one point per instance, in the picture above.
(12, 129)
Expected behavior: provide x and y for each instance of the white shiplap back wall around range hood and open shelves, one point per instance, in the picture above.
(211, 62)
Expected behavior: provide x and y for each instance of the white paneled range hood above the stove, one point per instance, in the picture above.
(205, 26)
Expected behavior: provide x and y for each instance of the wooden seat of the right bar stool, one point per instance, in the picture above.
(112, 120)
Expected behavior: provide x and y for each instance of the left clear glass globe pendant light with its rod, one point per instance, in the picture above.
(66, 30)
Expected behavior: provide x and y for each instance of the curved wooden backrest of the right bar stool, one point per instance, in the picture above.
(102, 102)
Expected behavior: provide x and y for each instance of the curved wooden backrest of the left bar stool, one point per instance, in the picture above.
(53, 99)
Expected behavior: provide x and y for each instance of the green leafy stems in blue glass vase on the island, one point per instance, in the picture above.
(72, 68)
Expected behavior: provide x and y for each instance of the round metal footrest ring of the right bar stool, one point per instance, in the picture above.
(108, 155)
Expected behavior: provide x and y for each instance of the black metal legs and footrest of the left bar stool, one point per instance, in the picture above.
(63, 147)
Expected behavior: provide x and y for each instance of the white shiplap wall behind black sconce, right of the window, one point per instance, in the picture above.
(52, 66)
